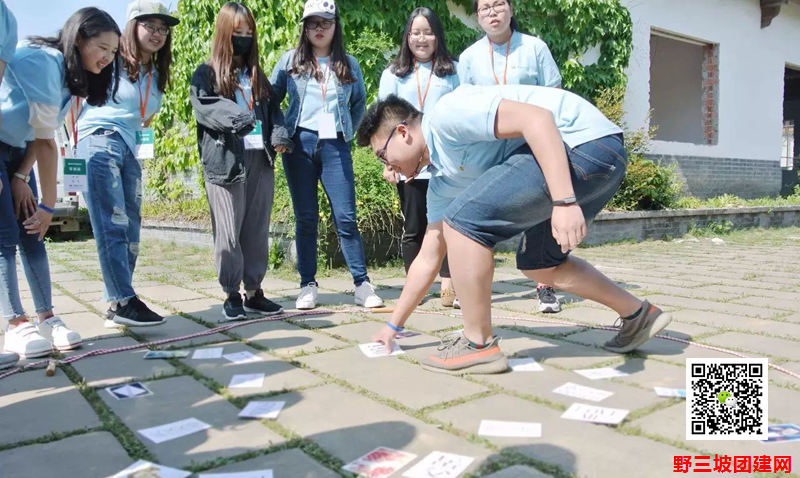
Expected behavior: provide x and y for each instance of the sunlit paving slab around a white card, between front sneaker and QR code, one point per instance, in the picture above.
(542, 384)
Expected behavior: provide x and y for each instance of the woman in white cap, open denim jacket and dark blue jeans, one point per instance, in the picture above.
(327, 100)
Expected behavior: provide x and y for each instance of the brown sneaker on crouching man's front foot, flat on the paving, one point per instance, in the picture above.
(457, 357)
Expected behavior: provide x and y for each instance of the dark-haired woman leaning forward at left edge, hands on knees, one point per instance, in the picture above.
(47, 77)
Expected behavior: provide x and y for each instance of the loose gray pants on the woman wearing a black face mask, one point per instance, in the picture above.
(240, 215)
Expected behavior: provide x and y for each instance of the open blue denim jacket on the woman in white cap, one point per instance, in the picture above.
(352, 97)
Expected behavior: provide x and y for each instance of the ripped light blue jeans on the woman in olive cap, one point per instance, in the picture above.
(114, 199)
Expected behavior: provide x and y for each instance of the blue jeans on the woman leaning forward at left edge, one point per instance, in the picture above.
(32, 250)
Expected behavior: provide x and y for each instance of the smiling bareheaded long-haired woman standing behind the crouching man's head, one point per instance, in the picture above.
(423, 71)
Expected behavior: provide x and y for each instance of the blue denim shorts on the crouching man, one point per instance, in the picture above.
(512, 198)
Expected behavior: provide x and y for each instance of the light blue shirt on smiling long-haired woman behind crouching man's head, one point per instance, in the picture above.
(406, 88)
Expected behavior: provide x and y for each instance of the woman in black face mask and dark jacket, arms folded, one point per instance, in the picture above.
(240, 128)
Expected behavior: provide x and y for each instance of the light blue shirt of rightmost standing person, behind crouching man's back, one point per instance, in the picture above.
(529, 63)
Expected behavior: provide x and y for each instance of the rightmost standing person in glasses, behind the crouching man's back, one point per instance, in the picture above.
(507, 57)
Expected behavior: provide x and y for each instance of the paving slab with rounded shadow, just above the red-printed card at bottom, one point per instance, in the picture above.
(349, 426)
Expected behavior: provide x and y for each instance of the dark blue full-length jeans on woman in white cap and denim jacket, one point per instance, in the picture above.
(330, 161)
